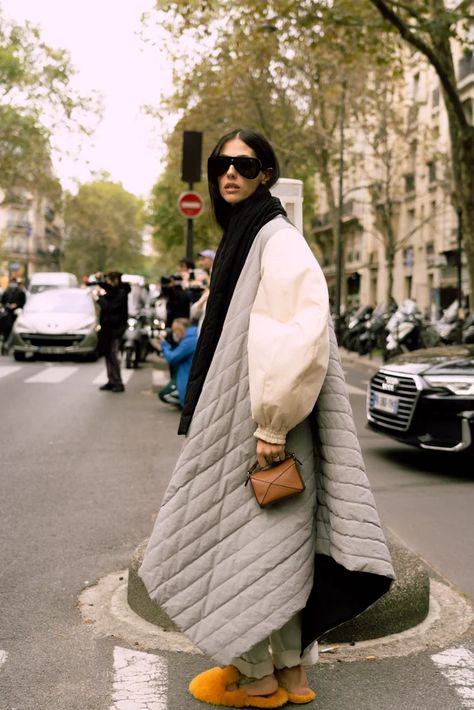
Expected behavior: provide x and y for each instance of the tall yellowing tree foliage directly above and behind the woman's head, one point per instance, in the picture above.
(276, 66)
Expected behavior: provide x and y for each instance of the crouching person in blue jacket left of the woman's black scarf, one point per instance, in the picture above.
(179, 357)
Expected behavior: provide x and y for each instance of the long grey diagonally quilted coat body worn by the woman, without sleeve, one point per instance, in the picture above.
(228, 572)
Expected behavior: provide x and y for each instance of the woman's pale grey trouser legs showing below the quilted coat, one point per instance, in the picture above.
(282, 649)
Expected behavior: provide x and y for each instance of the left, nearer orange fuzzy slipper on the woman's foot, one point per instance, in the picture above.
(211, 687)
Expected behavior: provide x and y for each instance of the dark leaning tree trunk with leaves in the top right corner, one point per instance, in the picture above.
(430, 26)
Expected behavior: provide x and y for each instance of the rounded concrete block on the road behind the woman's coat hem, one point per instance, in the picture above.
(406, 604)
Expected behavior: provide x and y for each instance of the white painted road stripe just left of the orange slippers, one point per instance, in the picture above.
(140, 681)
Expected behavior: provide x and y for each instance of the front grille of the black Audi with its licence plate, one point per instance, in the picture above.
(407, 394)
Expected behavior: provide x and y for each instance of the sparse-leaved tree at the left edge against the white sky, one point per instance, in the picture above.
(35, 96)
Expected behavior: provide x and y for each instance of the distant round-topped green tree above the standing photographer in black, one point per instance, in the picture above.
(103, 225)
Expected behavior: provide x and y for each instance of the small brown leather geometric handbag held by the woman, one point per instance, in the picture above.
(277, 482)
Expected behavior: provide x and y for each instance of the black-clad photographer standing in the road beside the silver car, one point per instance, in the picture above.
(113, 303)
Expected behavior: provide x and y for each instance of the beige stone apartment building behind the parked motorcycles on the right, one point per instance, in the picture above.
(414, 191)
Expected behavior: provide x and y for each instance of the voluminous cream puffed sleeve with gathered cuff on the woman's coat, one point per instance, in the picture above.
(288, 344)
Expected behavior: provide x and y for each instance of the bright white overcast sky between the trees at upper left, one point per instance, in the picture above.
(109, 56)
